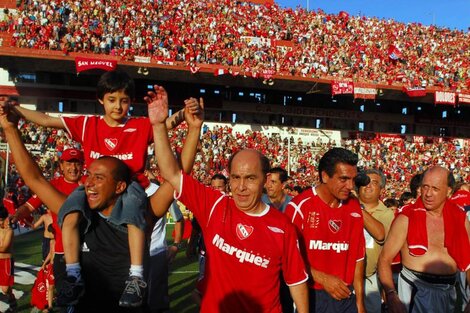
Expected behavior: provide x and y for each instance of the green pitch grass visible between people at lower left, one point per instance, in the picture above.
(183, 273)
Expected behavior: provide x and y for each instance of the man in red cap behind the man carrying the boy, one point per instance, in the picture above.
(71, 167)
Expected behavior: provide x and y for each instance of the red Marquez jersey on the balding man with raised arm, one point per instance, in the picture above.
(245, 253)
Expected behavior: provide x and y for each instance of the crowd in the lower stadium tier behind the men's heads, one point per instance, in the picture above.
(398, 158)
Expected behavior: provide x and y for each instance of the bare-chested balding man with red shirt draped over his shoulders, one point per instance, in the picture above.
(427, 280)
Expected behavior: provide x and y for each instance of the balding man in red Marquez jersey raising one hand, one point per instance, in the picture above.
(248, 243)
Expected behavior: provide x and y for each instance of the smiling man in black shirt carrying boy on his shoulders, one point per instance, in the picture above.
(104, 254)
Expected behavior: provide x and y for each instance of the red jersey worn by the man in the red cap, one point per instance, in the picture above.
(34, 202)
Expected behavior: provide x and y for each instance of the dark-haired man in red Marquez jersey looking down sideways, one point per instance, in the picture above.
(331, 224)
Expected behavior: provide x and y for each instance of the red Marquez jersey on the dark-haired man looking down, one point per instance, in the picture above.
(333, 237)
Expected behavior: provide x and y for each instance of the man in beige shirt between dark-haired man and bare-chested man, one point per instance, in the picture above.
(377, 221)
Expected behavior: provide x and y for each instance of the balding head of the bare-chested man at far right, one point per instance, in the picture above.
(436, 187)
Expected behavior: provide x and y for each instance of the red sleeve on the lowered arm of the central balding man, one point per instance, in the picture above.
(293, 266)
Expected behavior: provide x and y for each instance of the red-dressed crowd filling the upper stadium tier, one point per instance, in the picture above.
(262, 39)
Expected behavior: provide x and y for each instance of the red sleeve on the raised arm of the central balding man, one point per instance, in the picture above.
(198, 198)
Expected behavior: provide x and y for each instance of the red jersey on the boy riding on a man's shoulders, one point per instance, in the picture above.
(127, 142)
